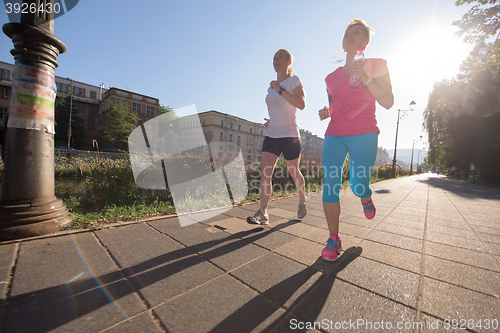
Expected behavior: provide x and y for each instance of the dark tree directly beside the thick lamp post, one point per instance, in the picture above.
(62, 120)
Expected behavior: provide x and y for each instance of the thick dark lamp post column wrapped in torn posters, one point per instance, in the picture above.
(28, 205)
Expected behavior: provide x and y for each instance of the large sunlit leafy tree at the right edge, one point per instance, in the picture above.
(462, 117)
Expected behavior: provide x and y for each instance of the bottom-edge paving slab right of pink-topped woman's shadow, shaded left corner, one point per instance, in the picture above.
(355, 308)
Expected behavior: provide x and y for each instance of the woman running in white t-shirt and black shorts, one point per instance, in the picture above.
(284, 96)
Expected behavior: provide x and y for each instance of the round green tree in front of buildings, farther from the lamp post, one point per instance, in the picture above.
(116, 126)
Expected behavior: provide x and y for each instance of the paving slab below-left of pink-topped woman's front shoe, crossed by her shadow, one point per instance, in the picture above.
(280, 279)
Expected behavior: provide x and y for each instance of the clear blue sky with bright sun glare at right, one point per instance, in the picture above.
(217, 55)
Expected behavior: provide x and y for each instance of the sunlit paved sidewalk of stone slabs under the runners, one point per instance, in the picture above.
(431, 255)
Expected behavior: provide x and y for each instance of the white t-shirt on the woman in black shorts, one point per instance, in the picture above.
(282, 114)
